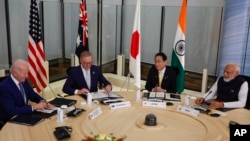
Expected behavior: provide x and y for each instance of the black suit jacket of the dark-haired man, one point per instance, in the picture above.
(168, 82)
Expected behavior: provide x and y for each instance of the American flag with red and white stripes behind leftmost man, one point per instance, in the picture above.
(36, 57)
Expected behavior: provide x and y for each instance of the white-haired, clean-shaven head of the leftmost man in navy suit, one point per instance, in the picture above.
(19, 70)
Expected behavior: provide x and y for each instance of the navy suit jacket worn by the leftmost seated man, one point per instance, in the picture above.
(11, 99)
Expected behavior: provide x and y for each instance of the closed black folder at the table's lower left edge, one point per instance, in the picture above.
(26, 120)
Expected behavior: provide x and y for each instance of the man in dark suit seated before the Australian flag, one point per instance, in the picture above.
(85, 77)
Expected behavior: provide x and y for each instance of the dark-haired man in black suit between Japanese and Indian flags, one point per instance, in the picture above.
(161, 78)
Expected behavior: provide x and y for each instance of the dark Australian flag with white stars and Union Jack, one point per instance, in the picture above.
(82, 37)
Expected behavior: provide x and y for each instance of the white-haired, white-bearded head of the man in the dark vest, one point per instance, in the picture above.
(231, 71)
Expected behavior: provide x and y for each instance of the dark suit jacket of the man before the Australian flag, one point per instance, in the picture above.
(76, 80)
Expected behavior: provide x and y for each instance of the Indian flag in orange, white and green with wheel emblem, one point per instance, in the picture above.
(178, 53)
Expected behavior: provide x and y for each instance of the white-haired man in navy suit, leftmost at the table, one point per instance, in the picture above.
(15, 92)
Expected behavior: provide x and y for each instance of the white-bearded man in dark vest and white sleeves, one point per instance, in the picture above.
(229, 91)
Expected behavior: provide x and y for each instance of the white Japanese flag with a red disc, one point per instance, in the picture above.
(135, 49)
